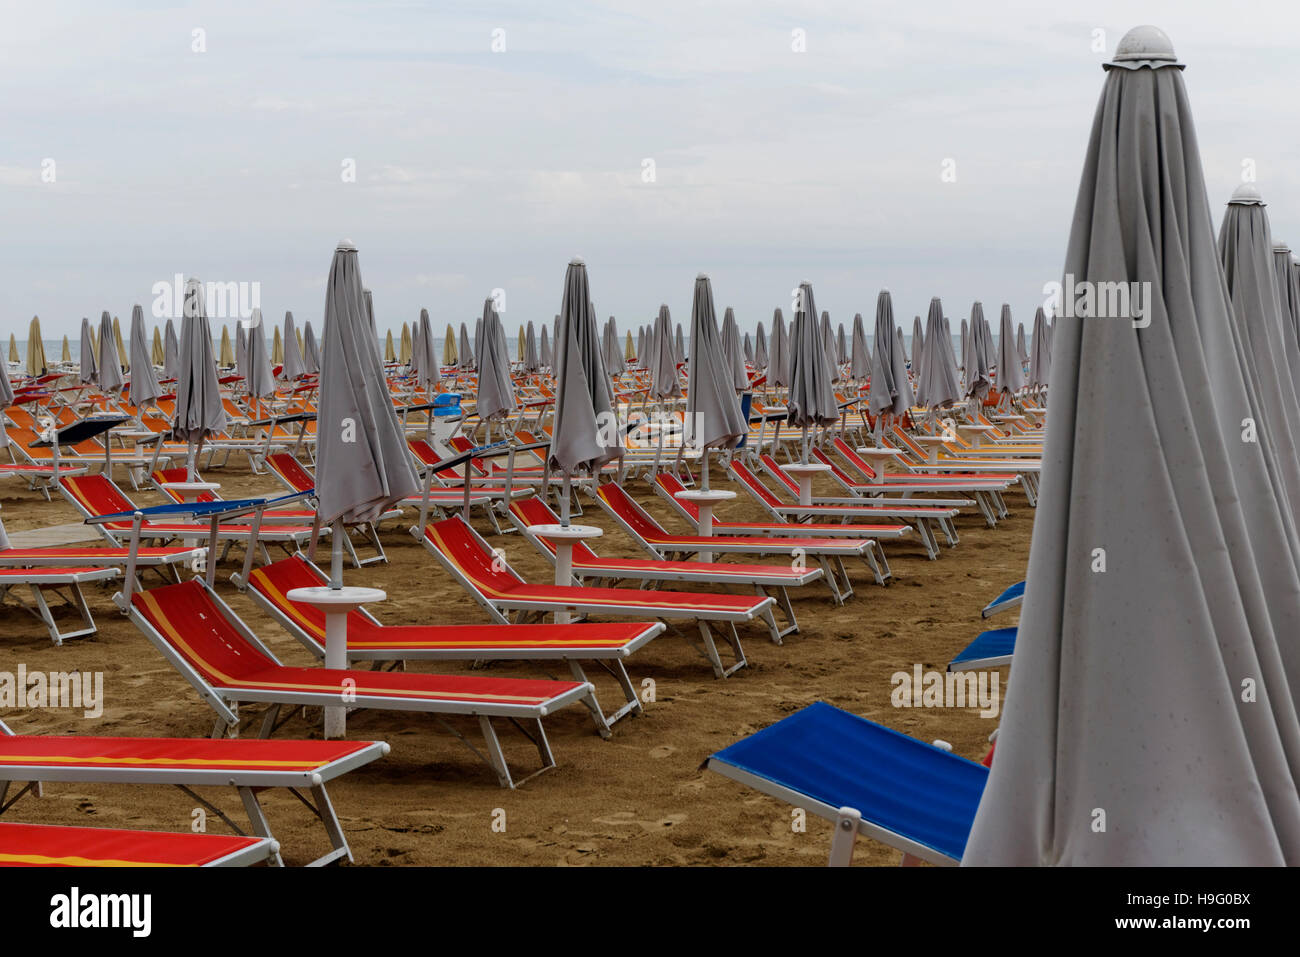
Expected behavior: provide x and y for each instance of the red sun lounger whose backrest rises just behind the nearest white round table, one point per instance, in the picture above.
(606, 643)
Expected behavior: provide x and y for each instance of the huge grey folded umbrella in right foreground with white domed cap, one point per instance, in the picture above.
(1162, 584)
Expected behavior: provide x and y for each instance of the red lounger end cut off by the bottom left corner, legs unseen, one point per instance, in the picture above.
(47, 846)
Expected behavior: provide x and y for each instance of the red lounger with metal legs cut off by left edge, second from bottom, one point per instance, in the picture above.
(249, 767)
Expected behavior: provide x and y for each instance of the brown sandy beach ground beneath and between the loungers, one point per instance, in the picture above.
(639, 799)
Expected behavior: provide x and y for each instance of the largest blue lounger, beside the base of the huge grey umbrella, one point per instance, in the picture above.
(865, 778)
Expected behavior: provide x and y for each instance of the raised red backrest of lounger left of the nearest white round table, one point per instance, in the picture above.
(197, 630)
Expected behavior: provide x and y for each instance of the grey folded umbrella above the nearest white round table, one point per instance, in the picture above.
(362, 462)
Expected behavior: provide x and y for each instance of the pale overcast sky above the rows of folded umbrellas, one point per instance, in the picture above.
(928, 149)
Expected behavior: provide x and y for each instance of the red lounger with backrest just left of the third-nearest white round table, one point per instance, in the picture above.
(660, 543)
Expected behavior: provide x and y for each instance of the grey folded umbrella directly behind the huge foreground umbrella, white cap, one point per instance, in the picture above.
(1246, 253)
